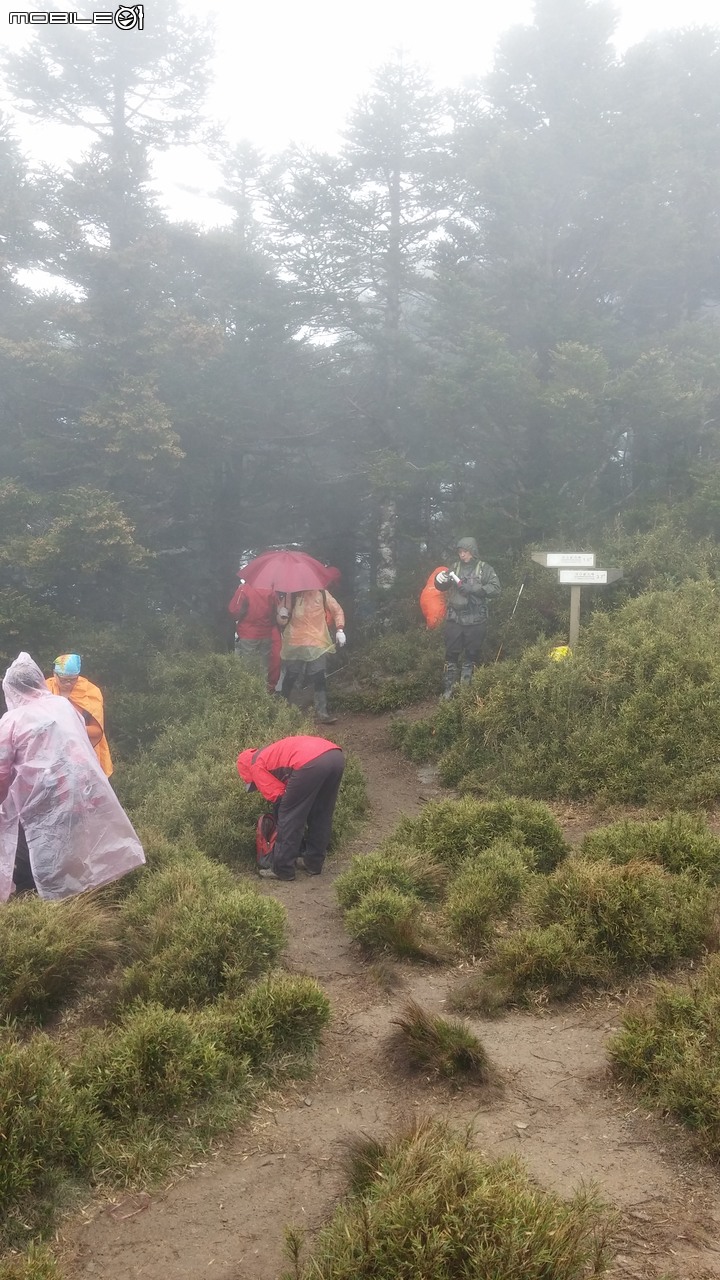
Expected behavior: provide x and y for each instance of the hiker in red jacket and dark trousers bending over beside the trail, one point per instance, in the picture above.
(302, 778)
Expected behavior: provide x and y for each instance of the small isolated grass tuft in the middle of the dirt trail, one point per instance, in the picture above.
(443, 1046)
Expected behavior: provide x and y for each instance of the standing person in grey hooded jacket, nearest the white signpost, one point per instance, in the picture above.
(470, 586)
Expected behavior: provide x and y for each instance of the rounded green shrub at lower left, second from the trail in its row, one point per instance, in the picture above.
(157, 1063)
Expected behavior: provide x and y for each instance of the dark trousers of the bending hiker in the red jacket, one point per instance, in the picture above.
(309, 802)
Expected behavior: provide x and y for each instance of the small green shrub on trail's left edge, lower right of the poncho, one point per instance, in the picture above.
(281, 1018)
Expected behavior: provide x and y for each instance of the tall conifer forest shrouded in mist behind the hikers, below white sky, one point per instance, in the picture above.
(493, 313)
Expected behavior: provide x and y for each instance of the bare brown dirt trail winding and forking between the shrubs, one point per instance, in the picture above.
(557, 1108)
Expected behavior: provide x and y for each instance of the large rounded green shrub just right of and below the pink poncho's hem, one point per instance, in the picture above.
(197, 935)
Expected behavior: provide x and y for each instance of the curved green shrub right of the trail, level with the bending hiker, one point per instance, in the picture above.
(449, 831)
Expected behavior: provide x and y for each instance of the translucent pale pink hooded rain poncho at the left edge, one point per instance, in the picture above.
(51, 781)
